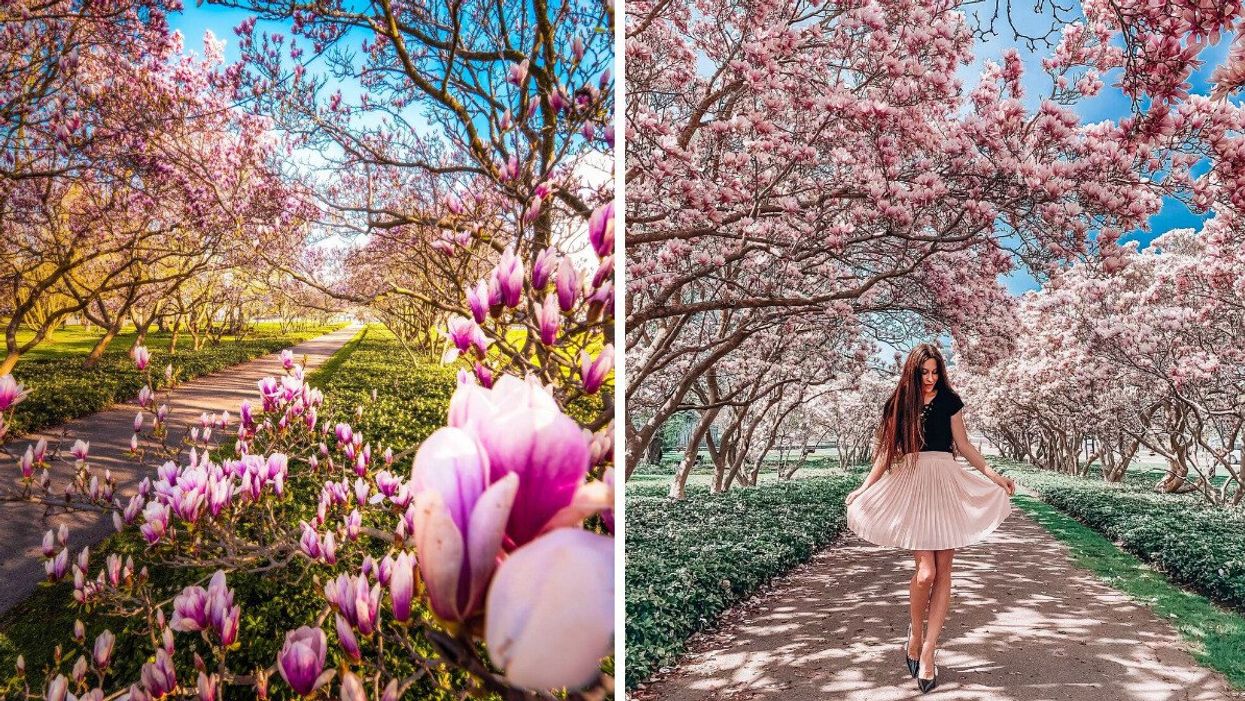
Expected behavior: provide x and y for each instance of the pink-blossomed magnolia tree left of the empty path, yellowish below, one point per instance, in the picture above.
(126, 171)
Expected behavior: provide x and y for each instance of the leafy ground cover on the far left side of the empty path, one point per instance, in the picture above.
(62, 389)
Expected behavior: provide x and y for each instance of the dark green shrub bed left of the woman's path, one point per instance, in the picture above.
(688, 562)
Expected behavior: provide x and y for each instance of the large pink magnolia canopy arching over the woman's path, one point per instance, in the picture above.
(825, 160)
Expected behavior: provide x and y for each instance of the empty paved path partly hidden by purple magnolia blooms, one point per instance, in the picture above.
(22, 565)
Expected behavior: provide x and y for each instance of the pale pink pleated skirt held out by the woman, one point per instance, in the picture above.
(929, 504)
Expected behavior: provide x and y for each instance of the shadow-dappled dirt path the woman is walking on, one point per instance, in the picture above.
(1025, 626)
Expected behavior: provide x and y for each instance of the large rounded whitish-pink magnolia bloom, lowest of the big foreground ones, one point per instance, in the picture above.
(531, 632)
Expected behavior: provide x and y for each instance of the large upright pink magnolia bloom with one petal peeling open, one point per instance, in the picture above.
(460, 521)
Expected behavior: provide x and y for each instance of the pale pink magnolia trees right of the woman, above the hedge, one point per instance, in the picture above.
(1135, 354)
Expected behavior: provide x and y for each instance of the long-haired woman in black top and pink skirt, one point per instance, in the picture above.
(919, 499)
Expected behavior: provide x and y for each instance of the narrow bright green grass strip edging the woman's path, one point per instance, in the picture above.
(1217, 637)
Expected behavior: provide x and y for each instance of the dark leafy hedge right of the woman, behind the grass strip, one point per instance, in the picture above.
(1193, 543)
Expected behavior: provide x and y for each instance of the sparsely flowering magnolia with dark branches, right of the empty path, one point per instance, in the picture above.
(475, 160)
